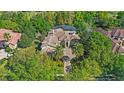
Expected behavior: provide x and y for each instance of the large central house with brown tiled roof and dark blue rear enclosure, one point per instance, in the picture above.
(57, 35)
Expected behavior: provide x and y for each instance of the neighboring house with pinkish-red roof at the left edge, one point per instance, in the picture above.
(13, 40)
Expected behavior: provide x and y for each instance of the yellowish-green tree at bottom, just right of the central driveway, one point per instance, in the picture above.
(88, 70)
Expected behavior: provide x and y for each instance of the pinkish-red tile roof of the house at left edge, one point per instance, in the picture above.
(14, 36)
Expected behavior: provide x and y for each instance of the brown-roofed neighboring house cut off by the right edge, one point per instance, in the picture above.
(117, 37)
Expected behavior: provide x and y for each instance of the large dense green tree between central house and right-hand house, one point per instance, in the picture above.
(99, 48)
